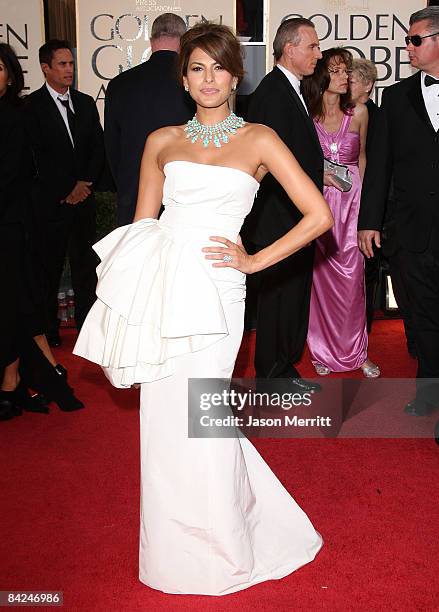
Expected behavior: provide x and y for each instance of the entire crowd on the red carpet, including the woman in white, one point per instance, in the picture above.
(202, 202)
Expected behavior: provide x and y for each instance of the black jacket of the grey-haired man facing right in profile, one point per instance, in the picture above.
(275, 103)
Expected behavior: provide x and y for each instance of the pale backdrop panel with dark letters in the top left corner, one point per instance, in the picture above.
(22, 27)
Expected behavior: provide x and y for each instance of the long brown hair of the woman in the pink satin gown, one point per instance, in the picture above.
(315, 85)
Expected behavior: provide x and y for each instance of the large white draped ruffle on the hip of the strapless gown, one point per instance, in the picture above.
(155, 301)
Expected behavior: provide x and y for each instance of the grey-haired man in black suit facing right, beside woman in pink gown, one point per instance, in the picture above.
(285, 289)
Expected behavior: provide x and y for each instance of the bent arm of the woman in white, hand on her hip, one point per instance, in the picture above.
(278, 160)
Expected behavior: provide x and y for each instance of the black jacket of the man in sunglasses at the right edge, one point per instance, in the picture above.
(404, 146)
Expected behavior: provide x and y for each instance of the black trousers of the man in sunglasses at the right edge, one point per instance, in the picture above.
(420, 274)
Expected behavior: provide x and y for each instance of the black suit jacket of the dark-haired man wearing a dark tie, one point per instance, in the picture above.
(59, 164)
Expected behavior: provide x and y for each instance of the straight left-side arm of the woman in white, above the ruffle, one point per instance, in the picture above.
(151, 178)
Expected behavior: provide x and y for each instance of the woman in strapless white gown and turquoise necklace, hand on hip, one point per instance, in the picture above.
(214, 518)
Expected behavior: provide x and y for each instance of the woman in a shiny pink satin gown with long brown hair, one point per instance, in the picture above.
(337, 333)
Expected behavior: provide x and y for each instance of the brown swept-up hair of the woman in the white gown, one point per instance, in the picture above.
(218, 41)
